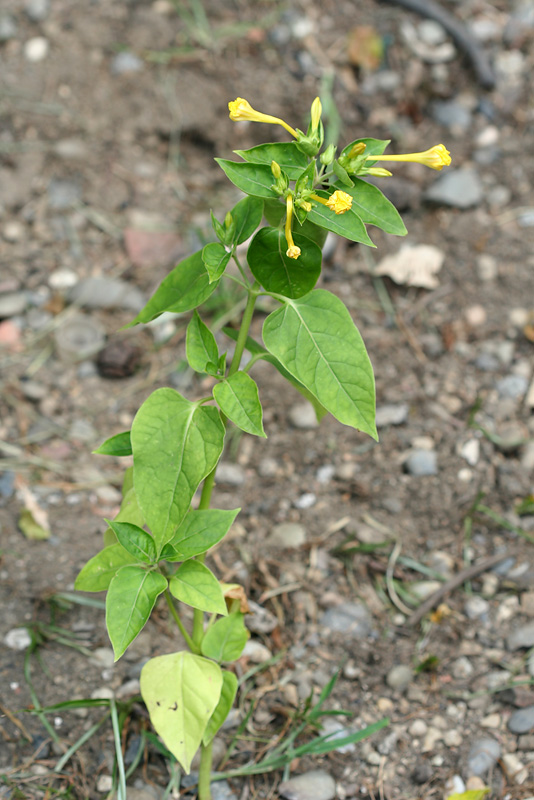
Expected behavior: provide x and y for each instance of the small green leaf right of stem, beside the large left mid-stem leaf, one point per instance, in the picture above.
(238, 398)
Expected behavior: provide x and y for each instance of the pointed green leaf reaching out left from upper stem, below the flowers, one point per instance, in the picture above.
(186, 287)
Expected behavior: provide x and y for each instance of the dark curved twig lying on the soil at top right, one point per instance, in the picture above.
(458, 32)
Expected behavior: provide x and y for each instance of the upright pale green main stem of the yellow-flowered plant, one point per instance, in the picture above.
(206, 755)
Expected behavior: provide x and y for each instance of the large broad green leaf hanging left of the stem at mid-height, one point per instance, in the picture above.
(175, 444)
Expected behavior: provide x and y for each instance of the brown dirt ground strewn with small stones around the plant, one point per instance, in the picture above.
(110, 116)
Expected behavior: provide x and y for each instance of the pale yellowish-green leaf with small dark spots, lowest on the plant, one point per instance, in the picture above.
(181, 692)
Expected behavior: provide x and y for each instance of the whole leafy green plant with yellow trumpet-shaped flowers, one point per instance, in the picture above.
(176, 443)
